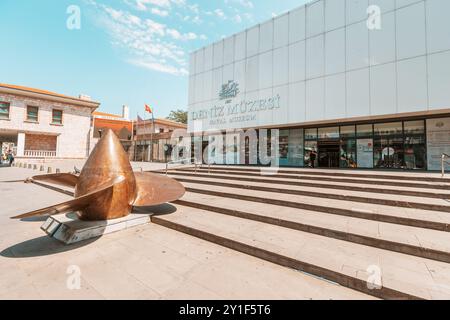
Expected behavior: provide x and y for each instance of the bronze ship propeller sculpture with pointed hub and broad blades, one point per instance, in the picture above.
(107, 188)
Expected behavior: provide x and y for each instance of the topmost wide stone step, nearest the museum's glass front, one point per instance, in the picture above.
(397, 175)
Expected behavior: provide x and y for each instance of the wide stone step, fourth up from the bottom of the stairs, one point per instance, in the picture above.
(441, 205)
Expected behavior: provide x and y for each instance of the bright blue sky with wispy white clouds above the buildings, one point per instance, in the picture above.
(126, 52)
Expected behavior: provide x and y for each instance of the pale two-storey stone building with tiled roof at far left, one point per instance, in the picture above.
(41, 124)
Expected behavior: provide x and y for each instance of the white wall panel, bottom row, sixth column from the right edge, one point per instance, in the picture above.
(315, 99)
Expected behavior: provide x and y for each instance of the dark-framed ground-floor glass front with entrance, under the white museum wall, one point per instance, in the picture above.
(390, 145)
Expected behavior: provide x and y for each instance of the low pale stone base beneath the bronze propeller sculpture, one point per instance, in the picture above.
(68, 229)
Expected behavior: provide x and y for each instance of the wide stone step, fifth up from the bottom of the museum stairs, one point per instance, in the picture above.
(361, 187)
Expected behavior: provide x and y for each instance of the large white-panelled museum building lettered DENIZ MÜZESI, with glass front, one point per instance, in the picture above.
(359, 83)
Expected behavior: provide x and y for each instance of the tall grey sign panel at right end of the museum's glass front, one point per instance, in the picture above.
(438, 141)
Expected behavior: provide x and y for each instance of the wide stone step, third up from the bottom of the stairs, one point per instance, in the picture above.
(397, 215)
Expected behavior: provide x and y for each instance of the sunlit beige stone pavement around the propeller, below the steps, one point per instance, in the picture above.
(147, 262)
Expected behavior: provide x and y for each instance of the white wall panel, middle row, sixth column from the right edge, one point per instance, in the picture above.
(315, 57)
